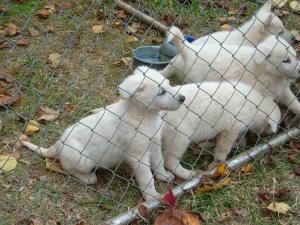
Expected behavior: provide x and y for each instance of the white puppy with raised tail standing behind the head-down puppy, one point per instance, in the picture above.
(269, 67)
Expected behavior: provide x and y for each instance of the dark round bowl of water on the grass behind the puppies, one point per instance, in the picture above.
(150, 56)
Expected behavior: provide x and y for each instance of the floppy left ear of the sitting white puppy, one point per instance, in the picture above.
(130, 86)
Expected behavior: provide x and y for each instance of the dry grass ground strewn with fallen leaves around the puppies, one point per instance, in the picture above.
(87, 79)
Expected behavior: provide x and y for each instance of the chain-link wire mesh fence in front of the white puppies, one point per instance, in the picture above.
(62, 59)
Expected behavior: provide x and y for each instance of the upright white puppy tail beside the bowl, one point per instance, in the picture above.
(175, 35)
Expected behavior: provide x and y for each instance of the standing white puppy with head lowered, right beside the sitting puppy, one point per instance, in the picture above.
(215, 109)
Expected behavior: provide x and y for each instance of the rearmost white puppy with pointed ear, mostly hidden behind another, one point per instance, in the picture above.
(261, 25)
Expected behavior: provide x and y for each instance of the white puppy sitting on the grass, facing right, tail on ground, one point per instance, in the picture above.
(128, 130)
